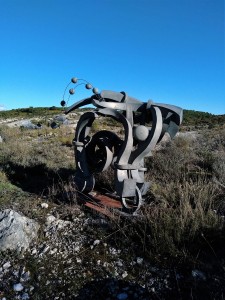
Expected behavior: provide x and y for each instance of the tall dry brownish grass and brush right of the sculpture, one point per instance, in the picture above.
(185, 206)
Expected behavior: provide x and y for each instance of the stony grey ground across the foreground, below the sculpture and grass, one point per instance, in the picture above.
(76, 255)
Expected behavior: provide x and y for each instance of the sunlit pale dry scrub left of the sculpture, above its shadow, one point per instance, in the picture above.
(20, 148)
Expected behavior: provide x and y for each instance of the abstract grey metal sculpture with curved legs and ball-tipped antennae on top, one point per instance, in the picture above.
(144, 123)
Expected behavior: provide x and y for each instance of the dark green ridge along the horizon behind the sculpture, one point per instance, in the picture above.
(191, 117)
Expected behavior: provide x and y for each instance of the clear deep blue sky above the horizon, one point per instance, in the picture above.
(170, 51)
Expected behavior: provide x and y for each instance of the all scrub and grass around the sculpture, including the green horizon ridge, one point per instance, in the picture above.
(181, 225)
